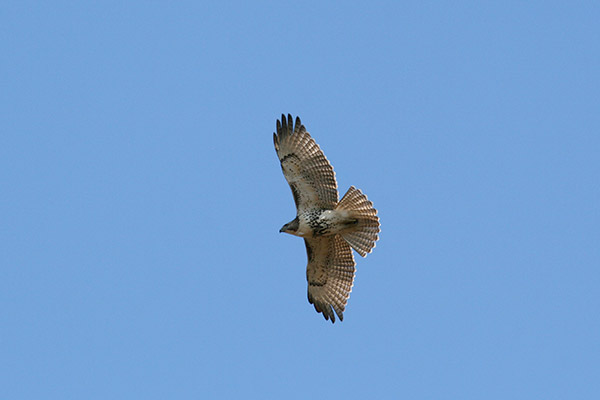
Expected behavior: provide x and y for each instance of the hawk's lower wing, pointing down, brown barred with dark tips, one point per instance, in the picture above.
(330, 273)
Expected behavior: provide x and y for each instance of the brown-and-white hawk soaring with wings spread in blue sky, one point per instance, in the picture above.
(330, 228)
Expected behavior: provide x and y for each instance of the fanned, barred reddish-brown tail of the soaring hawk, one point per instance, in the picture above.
(363, 236)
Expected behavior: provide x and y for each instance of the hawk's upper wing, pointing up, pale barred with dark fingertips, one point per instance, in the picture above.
(305, 167)
